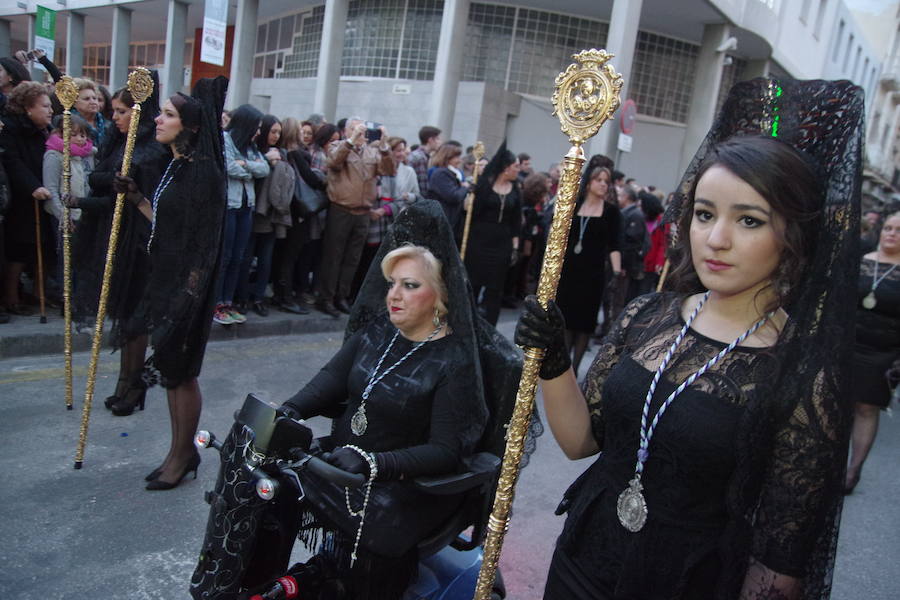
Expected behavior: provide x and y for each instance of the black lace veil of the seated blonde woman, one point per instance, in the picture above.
(500, 363)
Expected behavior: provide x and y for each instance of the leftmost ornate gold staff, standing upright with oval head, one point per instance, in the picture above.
(67, 92)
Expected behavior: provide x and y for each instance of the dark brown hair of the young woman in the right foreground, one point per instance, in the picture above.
(788, 181)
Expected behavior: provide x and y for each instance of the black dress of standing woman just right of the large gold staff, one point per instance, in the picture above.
(582, 282)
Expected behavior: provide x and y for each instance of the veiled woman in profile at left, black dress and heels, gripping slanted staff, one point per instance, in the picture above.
(185, 213)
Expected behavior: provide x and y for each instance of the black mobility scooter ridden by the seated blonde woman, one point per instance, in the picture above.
(260, 486)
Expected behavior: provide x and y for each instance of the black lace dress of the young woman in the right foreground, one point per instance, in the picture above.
(693, 545)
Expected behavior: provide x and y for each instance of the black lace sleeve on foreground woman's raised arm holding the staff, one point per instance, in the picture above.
(608, 355)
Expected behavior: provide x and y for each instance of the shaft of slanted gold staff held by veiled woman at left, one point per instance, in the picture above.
(104, 288)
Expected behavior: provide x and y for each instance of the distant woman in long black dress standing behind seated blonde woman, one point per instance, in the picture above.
(494, 235)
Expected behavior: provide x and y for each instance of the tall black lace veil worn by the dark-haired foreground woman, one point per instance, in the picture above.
(796, 437)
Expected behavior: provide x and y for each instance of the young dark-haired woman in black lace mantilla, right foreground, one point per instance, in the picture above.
(719, 410)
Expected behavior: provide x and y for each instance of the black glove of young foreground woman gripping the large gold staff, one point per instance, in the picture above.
(546, 329)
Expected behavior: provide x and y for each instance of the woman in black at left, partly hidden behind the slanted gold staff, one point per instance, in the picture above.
(91, 238)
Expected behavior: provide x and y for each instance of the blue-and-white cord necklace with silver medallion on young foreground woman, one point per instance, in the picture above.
(631, 507)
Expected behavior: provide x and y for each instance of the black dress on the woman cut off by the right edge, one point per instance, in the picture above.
(877, 335)
